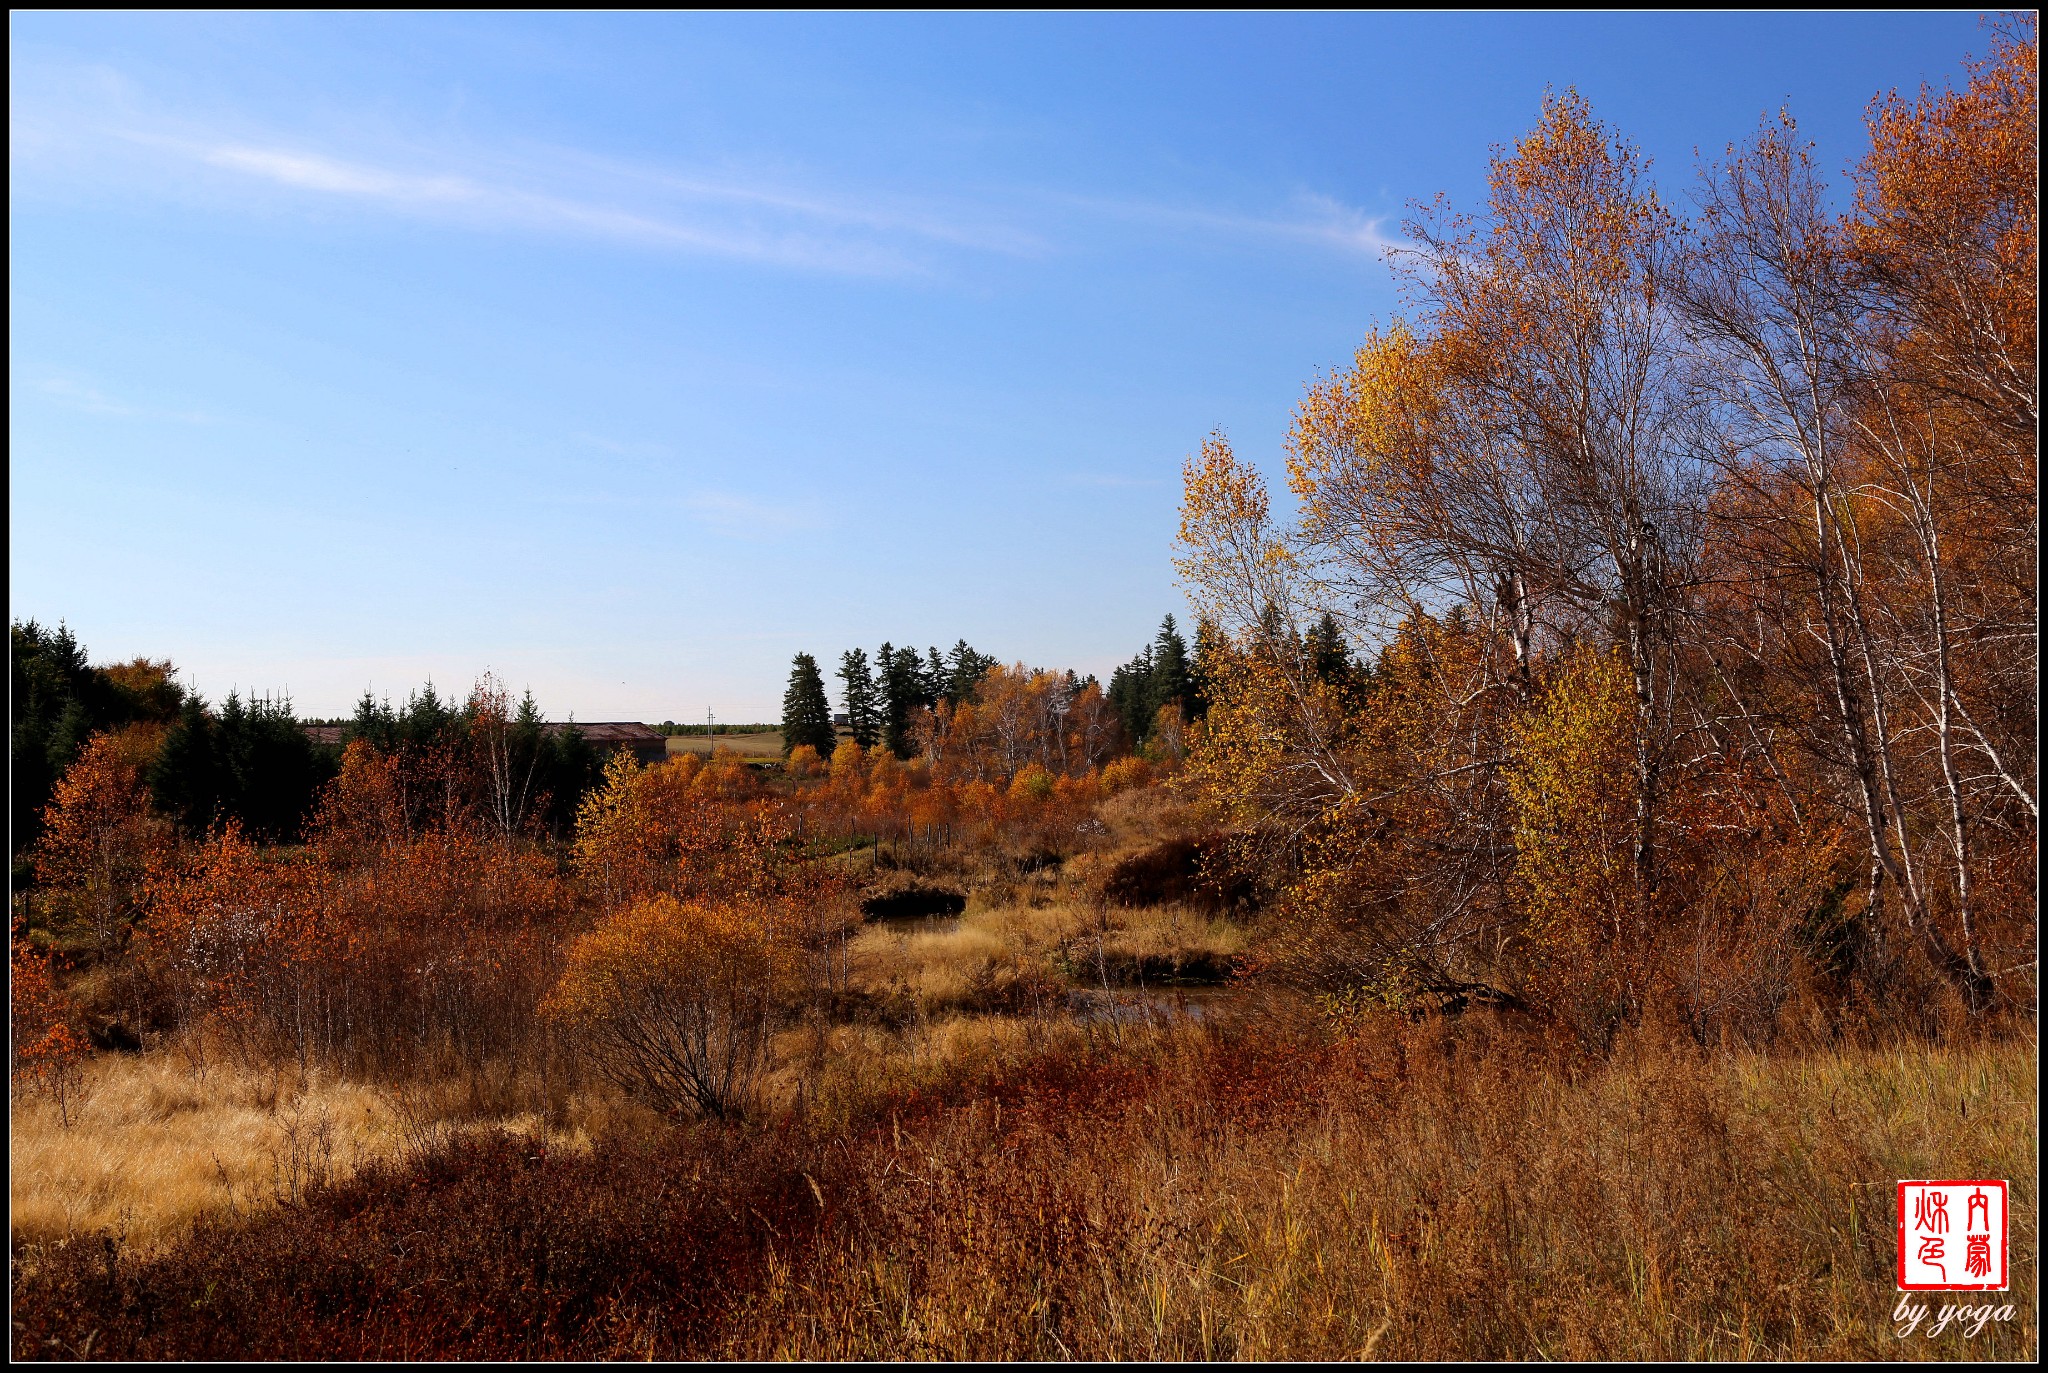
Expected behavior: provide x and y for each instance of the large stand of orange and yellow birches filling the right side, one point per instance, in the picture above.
(1736, 522)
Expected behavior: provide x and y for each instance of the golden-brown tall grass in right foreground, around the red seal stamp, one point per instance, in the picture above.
(1664, 1206)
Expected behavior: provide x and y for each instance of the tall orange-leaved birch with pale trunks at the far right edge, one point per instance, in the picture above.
(1945, 249)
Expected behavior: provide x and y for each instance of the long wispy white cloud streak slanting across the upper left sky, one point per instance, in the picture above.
(97, 126)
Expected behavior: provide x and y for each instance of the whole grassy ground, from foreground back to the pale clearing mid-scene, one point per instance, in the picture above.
(1023, 1134)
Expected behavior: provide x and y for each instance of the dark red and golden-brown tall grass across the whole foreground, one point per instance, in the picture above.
(1011, 1190)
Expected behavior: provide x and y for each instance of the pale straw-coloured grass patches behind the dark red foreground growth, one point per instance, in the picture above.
(185, 1132)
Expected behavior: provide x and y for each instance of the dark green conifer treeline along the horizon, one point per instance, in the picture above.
(251, 761)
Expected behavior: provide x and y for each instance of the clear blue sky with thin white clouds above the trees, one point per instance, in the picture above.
(630, 356)
